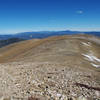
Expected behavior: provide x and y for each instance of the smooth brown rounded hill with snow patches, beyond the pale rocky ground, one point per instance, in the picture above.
(76, 50)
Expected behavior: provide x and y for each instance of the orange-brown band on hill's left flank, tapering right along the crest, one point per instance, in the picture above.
(21, 49)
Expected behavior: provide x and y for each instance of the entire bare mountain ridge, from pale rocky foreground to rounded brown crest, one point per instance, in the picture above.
(55, 68)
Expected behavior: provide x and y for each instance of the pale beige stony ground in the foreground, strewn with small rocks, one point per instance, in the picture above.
(47, 81)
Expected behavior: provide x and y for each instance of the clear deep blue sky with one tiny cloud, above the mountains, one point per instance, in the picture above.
(43, 15)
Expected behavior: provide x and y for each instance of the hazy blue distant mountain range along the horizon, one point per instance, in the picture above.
(44, 34)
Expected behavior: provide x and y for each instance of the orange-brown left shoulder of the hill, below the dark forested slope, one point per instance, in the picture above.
(12, 51)
